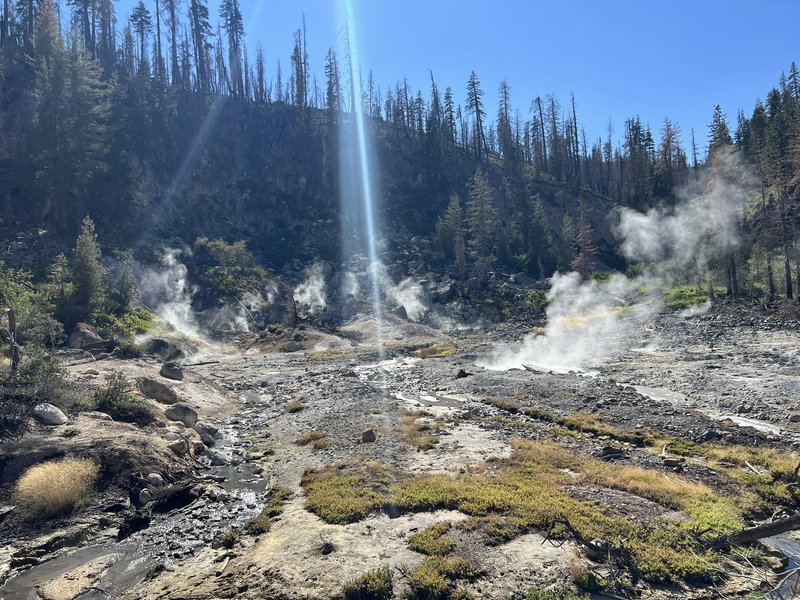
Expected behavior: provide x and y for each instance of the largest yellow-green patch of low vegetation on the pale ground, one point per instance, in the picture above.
(530, 492)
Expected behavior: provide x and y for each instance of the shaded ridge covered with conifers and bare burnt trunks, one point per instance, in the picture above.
(162, 124)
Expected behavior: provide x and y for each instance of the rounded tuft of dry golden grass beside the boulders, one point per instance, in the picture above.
(56, 487)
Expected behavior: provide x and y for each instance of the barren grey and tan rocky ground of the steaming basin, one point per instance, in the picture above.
(722, 380)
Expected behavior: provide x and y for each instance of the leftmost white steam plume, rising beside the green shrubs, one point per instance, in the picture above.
(165, 290)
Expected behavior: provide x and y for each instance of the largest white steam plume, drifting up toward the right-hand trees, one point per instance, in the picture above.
(589, 321)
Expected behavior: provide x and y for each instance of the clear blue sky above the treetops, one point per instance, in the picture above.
(620, 58)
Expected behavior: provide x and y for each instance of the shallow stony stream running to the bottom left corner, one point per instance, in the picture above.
(177, 534)
